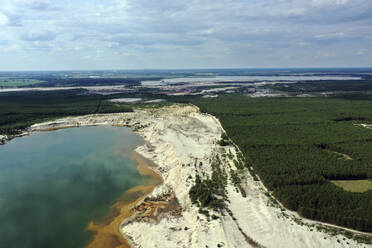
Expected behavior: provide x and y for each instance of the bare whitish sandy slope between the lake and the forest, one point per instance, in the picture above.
(177, 138)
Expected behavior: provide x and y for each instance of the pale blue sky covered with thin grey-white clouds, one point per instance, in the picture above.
(170, 34)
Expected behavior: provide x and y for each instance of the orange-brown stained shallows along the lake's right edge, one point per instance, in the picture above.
(107, 233)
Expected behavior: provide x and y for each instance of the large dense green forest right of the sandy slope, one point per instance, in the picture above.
(291, 144)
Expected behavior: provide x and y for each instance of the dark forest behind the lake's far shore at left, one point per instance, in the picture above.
(20, 110)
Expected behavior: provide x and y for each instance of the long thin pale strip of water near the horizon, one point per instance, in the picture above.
(244, 78)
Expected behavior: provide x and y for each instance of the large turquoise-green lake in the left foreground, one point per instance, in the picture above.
(52, 184)
